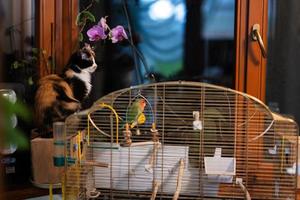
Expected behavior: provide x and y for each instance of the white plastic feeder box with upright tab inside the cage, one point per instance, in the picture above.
(219, 169)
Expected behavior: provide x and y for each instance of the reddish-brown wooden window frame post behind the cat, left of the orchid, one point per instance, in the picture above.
(57, 34)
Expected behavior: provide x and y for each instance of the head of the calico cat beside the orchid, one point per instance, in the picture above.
(83, 60)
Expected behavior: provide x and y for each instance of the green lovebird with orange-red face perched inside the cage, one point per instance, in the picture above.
(135, 113)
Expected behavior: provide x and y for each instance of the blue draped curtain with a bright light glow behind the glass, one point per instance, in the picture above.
(162, 37)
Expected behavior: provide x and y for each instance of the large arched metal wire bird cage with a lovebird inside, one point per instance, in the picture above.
(180, 140)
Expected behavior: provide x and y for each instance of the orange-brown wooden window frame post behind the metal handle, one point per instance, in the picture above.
(250, 74)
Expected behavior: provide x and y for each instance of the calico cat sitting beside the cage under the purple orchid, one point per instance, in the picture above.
(58, 96)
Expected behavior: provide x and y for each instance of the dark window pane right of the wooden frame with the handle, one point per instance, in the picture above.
(282, 89)
